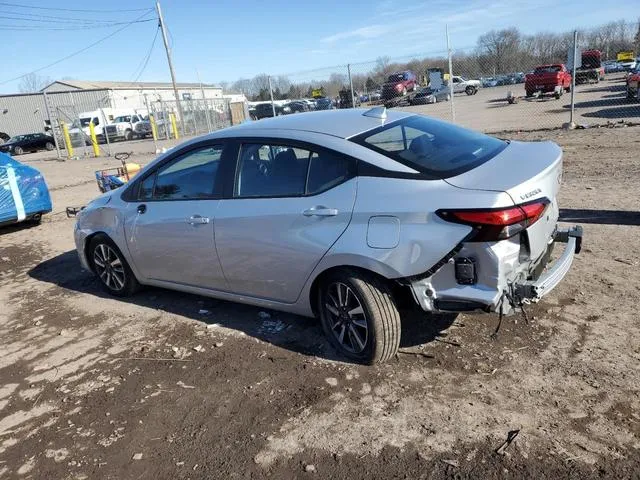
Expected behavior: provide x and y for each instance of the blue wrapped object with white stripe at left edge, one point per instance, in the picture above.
(23, 191)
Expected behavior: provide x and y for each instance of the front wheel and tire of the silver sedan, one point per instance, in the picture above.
(101, 247)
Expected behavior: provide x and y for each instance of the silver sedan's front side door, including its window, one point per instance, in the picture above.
(170, 226)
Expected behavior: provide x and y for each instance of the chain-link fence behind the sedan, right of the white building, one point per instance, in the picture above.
(506, 82)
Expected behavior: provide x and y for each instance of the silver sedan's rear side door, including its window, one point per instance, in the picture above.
(289, 206)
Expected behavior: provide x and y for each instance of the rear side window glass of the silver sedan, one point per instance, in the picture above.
(272, 170)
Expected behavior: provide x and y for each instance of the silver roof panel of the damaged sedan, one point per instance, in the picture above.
(338, 123)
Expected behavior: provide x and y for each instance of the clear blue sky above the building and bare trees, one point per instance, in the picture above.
(226, 40)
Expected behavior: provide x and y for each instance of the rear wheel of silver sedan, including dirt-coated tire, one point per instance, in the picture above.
(379, 312)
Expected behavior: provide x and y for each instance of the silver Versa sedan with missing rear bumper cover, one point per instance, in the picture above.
(342, 215)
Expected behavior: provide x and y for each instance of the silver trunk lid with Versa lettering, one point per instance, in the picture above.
(526, 172)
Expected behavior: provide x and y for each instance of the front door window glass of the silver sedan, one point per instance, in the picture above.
(189, 177)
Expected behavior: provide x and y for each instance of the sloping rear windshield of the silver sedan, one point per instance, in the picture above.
(435, 148)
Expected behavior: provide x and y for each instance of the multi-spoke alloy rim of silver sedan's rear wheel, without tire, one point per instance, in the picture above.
(347, 319)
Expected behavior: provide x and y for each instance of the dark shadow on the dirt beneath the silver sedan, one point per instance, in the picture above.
(299, 334)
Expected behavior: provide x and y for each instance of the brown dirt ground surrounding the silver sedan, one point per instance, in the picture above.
(169, 385)
